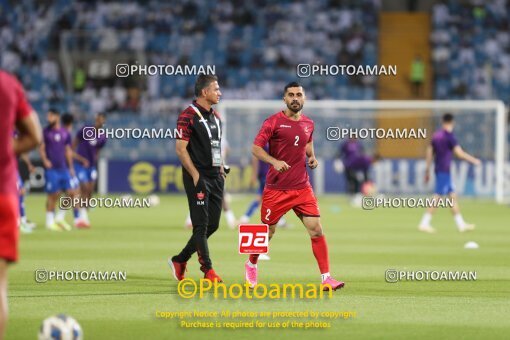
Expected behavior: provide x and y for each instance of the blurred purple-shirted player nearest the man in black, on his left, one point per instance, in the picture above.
(86, 155)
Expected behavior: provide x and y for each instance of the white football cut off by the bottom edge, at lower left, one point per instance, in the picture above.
(61, 327)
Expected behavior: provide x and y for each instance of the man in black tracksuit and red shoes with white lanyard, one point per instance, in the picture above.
(199, 150)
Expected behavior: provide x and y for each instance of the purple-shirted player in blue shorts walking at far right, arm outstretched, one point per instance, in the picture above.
(442, 149)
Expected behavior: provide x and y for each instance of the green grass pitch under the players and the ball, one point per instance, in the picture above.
(362, 245)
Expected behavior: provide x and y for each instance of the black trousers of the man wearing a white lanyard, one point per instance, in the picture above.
(205, 203)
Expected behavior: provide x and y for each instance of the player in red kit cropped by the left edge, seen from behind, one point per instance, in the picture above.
(16, 113)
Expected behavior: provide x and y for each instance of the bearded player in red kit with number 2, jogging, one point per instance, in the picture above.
(289, 134)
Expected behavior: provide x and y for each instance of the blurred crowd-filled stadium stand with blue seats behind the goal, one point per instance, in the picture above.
(252, 44)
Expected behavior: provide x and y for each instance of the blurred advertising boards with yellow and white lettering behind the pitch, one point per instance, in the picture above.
(391, 176)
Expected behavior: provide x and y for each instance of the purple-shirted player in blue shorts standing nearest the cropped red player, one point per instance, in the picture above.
(57, 158)
